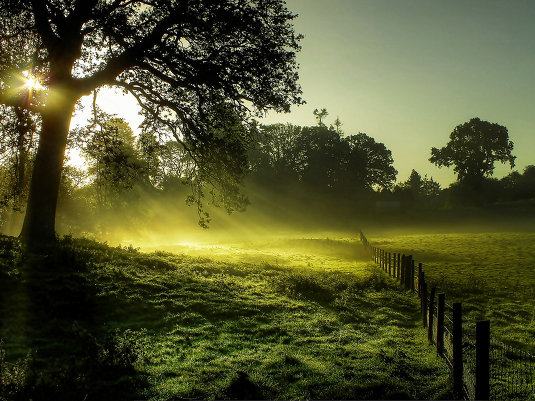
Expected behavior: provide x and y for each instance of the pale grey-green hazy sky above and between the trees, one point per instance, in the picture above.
(406, 72)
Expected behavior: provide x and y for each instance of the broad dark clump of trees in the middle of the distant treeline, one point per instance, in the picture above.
(321, 158)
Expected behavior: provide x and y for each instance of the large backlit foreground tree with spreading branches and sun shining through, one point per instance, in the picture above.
(189, 63)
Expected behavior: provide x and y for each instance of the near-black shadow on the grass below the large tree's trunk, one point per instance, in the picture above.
(53, 347)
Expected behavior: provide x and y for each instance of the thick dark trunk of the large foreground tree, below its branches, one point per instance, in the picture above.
(39, 222)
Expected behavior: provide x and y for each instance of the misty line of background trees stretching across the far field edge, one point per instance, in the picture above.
(278, 158)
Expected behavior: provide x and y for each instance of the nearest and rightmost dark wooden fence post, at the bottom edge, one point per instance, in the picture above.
(482, 360)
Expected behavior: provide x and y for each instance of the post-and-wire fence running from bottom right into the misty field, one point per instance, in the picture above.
(482, 369)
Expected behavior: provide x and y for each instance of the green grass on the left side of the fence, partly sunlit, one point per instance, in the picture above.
(284, 319)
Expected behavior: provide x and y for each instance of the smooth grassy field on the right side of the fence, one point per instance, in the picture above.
(492, 274)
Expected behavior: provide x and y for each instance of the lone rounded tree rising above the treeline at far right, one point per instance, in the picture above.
(473, 149)
